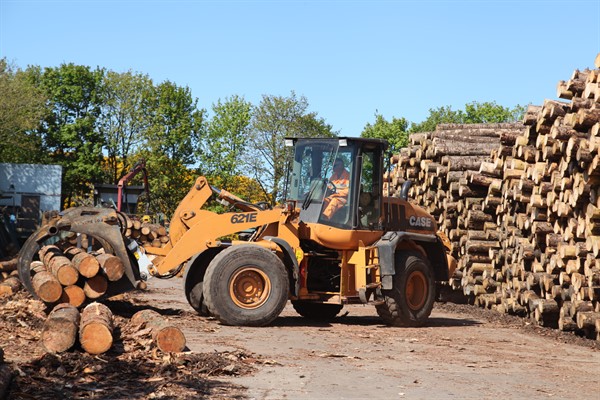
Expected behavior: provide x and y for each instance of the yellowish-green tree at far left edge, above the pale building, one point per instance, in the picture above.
(22, 106)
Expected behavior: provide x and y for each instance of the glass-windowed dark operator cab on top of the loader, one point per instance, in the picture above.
(313, 169)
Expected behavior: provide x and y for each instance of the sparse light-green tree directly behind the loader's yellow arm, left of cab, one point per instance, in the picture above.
(223, 143)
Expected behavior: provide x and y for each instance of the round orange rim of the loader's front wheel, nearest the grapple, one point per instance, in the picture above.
(249, 287)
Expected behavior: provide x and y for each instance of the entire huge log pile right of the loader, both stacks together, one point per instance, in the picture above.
(523, 214)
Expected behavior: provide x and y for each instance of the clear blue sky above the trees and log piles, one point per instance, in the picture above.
(350, 59)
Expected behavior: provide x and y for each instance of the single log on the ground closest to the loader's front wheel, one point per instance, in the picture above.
(168, 338)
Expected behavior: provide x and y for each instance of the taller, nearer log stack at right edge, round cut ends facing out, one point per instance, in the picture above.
(549, 216)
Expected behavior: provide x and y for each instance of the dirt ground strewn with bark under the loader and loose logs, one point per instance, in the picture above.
(463, 353)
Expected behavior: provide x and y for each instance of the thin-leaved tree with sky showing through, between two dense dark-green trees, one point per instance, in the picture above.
(125, 100)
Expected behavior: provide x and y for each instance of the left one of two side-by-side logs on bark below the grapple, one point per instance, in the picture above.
(60, 328)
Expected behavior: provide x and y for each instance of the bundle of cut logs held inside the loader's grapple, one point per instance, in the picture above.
(73, 276)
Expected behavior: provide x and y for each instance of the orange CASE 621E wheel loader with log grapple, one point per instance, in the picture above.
(372, 249)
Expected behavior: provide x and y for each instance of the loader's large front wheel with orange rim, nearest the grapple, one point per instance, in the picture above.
(245, 285)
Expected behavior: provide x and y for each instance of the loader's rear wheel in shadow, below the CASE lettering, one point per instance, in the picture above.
(410, 301)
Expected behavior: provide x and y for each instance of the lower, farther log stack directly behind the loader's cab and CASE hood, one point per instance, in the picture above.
(451, 172)
